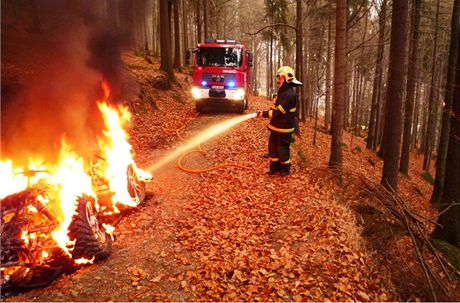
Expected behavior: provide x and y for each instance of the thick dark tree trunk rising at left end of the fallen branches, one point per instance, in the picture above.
(393, 117)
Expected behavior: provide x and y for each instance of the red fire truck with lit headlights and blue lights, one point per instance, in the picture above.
(221, 74)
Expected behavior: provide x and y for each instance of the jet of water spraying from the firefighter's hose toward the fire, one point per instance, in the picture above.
(202, 137)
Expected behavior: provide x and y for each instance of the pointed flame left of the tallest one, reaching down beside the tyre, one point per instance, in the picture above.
(72, 181)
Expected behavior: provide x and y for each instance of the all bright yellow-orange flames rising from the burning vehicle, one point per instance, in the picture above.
(69, 178)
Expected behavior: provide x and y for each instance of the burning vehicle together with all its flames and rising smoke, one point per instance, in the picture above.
(58, 200)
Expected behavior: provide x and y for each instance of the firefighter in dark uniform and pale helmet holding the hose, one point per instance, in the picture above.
(282, 121)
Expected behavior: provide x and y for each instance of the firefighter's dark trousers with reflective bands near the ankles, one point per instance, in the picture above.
(279, 151)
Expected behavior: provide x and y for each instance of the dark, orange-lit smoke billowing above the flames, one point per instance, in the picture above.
(54, 56)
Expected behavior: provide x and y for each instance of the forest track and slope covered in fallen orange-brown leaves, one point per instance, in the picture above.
(238, 234)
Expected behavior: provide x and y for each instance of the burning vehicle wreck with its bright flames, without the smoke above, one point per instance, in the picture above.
(55, 217)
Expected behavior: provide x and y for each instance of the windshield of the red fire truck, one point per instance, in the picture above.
(219, 56)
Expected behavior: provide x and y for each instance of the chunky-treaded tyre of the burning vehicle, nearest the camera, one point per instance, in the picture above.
(90, 240)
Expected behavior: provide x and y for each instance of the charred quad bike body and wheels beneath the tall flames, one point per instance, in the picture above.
(30, 255)
